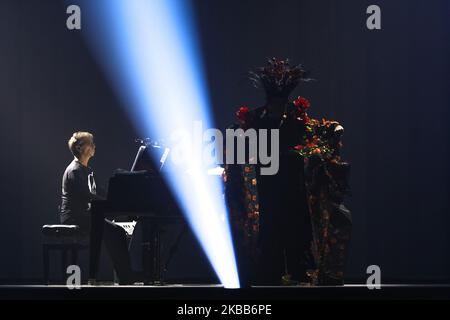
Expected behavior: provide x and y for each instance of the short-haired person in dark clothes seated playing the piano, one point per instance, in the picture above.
(78, 190)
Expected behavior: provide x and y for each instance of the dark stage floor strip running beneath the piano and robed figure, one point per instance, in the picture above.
(217, 292)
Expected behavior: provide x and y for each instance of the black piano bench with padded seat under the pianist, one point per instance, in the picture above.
(65, 239)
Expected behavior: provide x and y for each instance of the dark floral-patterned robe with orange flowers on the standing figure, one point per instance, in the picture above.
(323, 181)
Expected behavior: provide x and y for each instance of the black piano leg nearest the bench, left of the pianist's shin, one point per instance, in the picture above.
(96, 236)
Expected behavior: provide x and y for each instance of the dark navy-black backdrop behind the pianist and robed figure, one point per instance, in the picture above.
(388, 87)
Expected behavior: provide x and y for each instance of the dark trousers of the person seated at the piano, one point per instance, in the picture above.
(115, 242)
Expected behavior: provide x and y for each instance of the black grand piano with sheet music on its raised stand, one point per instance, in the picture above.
(139, 194)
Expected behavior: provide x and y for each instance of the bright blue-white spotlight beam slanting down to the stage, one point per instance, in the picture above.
(148, 49)
